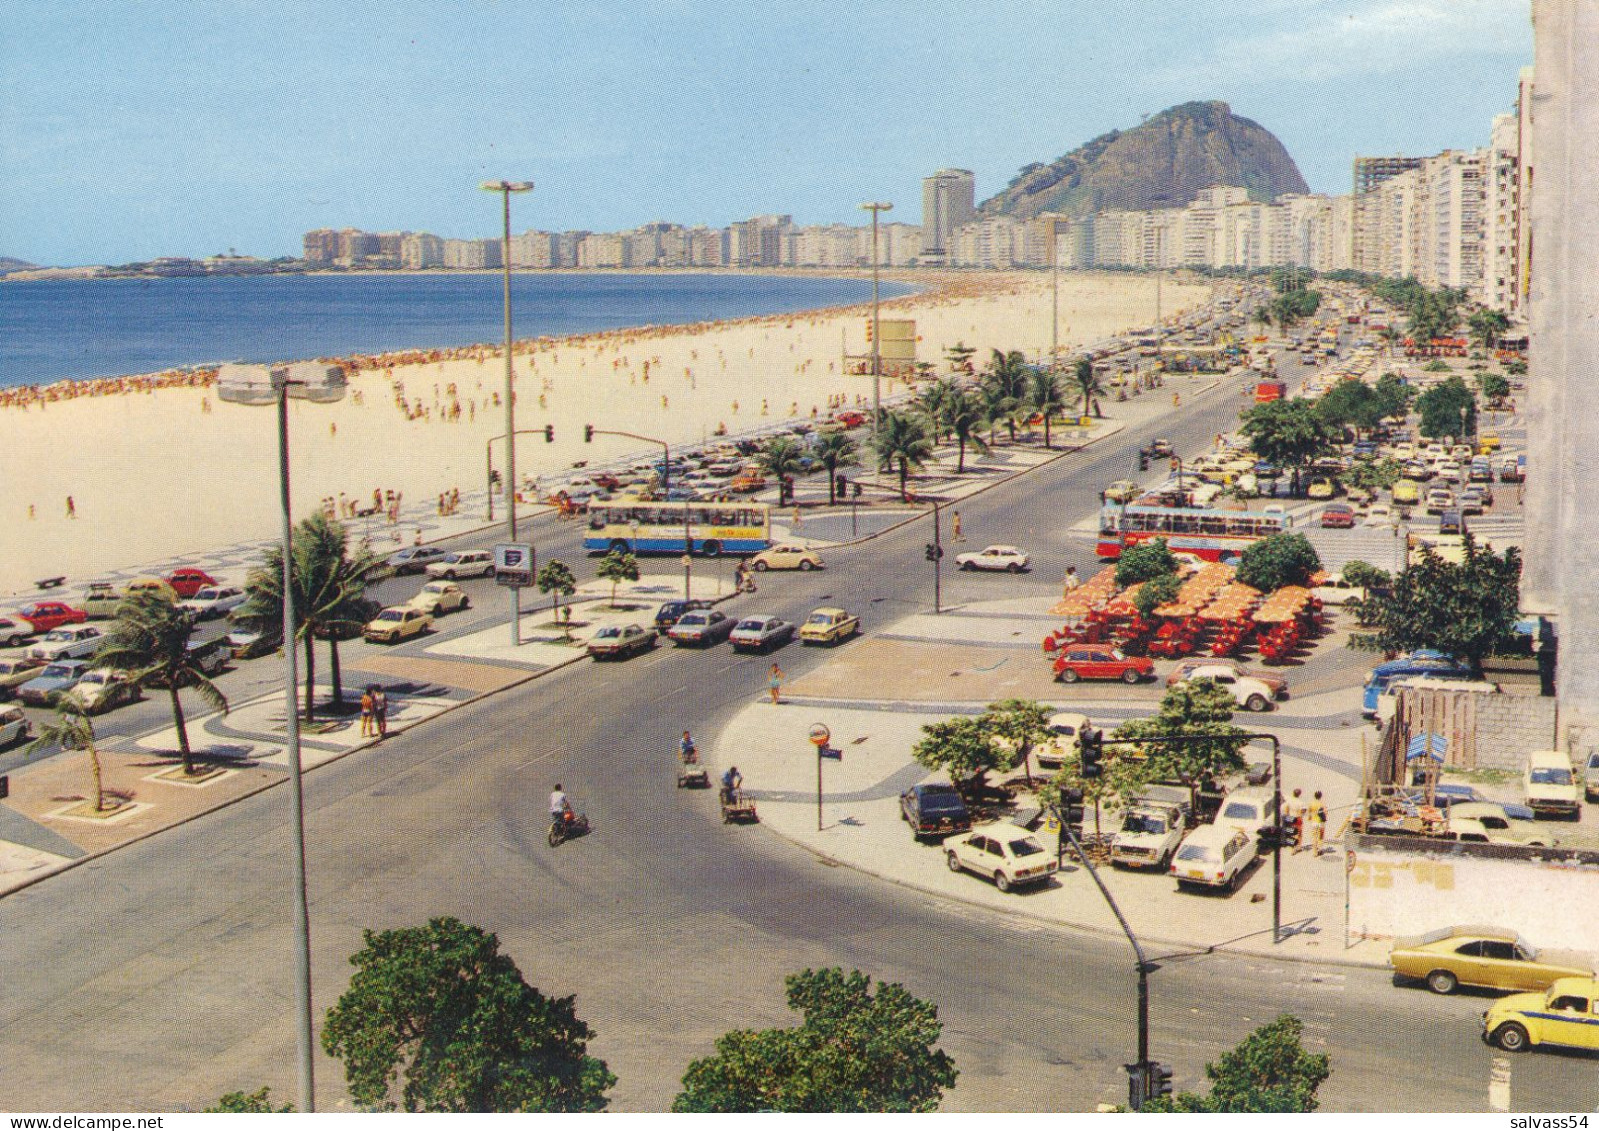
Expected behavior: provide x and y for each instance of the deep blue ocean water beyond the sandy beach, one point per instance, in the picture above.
(114, 327)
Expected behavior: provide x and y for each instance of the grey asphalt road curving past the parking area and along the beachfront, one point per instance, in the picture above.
(161, 977)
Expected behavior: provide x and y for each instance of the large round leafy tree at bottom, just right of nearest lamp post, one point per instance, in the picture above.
(442, 1009)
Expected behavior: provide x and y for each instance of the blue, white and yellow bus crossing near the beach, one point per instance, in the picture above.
(711, 529)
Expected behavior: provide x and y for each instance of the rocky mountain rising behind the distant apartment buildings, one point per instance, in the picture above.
(1162, 164)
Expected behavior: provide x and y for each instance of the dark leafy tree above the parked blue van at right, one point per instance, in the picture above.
(1465, 610)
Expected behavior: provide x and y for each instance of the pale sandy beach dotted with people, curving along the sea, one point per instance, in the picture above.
(161, 473)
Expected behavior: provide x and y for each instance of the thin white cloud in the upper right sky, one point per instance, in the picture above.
(1318, 42)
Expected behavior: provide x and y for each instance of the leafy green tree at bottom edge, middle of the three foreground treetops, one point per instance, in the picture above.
(853, 1052)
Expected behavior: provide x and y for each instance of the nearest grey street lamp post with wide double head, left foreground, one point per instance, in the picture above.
(260, 385)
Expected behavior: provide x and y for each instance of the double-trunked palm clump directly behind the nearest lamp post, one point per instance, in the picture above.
(330, 594)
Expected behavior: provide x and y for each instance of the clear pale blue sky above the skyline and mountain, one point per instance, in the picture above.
(135, 130)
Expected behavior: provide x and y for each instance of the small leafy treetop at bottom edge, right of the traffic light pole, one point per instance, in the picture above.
(1270, 1071)
